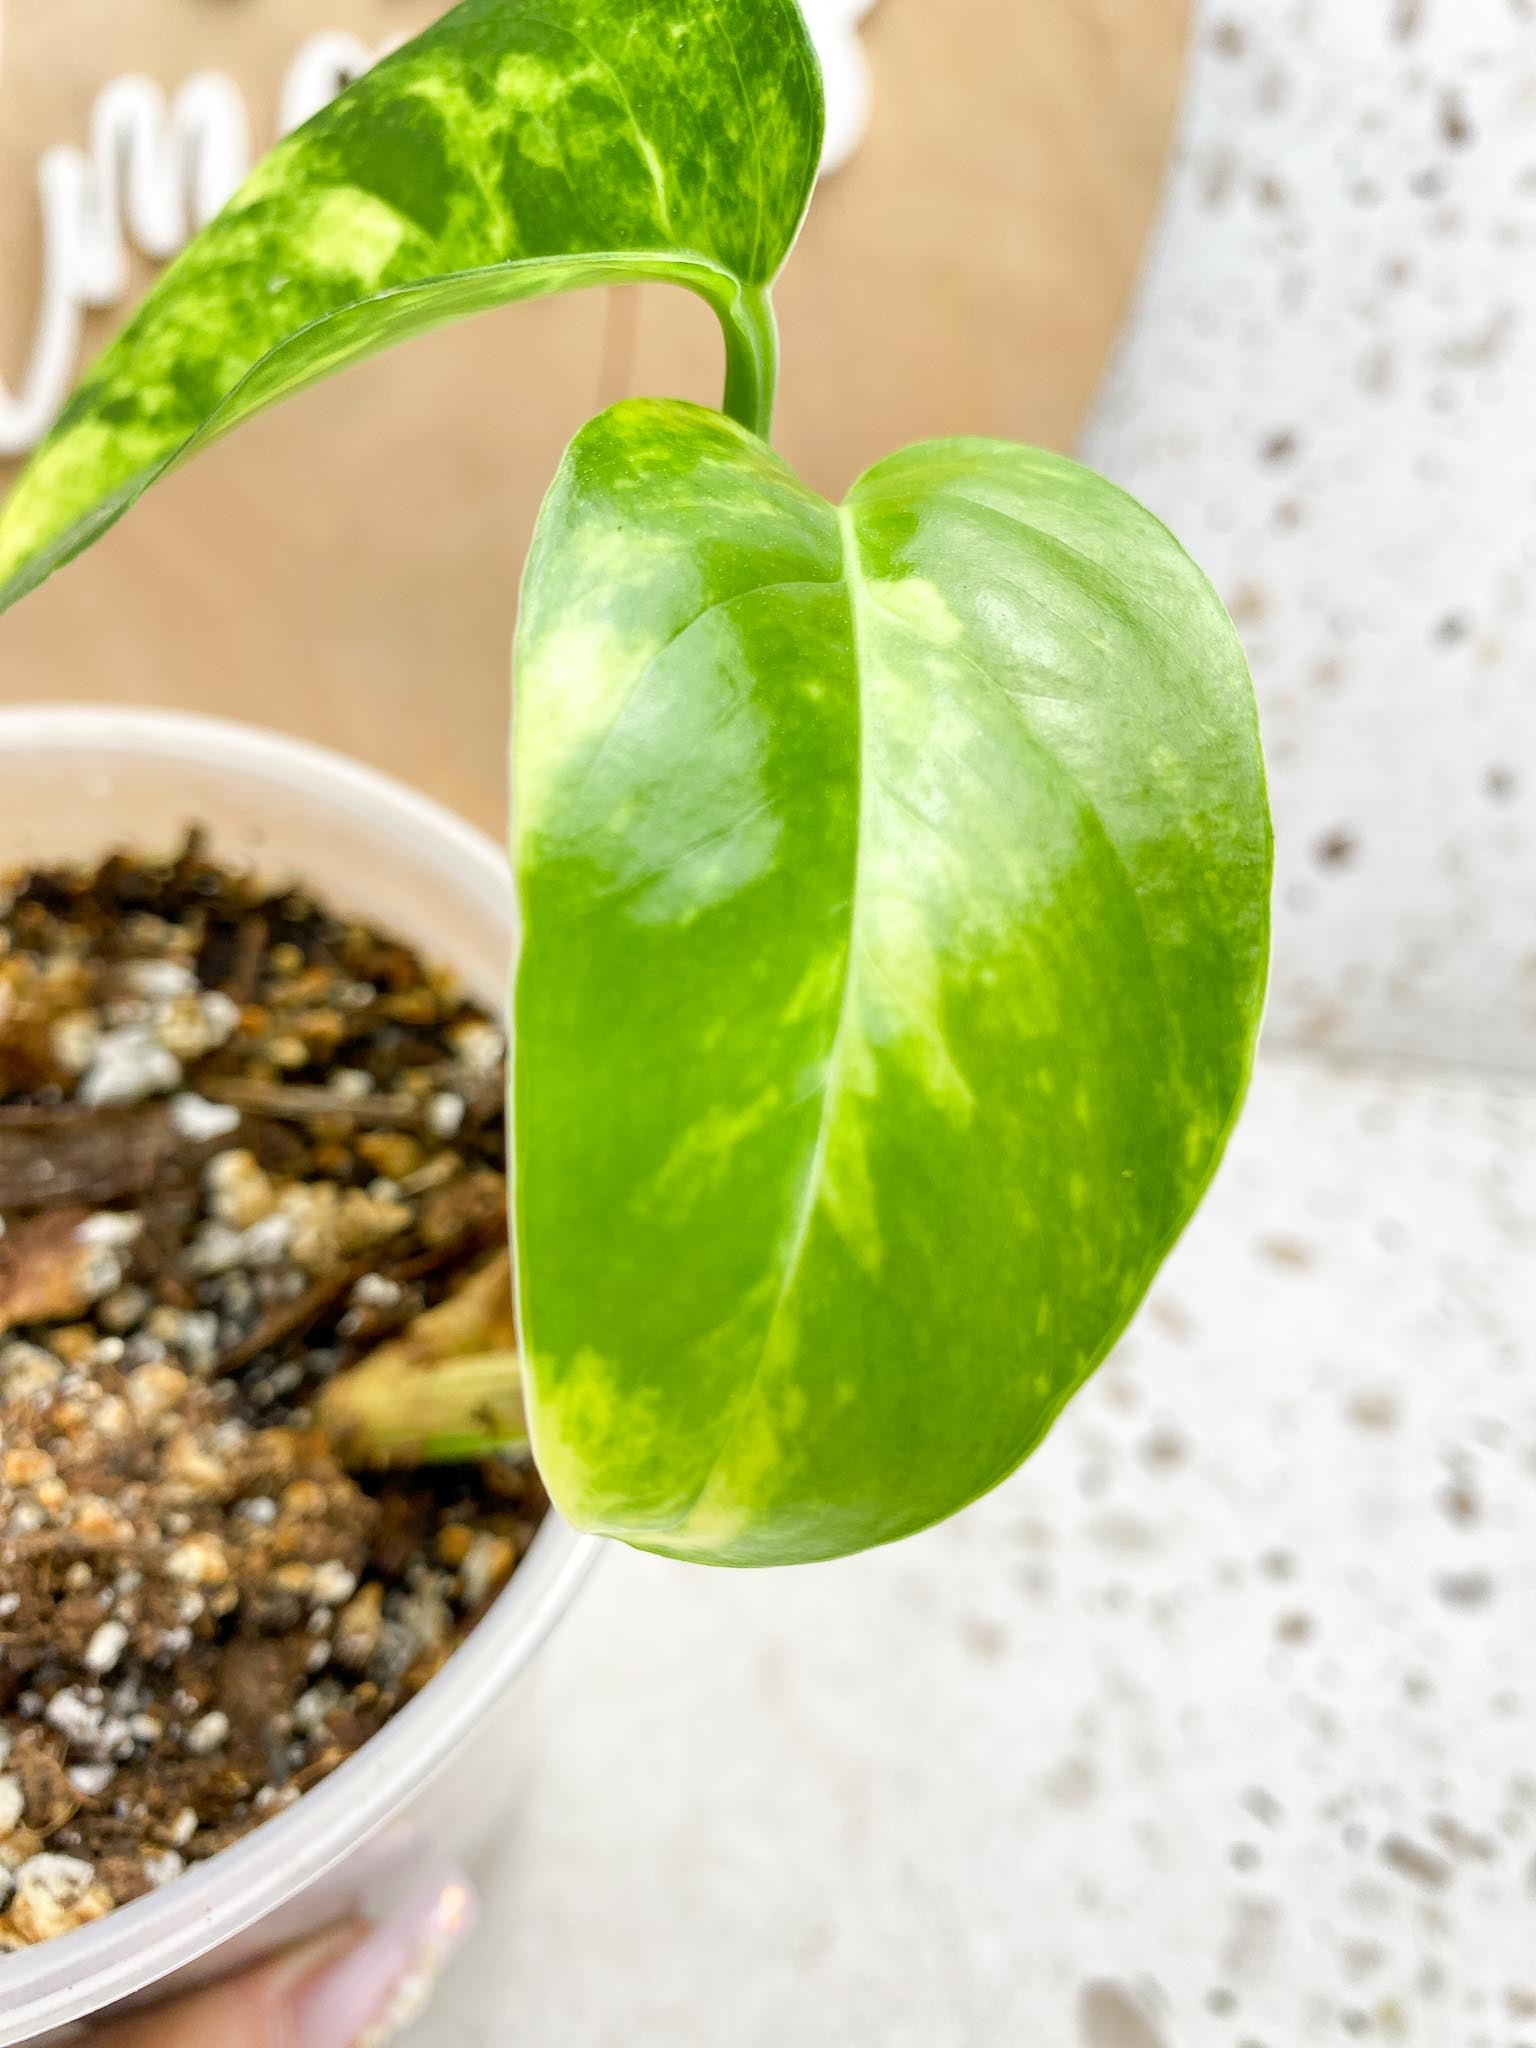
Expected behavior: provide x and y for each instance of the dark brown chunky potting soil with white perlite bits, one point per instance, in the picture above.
(243, 1142)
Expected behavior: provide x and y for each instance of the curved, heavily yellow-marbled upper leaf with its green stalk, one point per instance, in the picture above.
(515, 151)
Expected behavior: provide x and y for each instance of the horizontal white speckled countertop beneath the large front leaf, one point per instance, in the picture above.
(1209, 1732)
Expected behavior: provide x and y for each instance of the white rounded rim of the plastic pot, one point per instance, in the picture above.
(210, 1906)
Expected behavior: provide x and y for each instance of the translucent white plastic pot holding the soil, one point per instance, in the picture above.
(75, 783)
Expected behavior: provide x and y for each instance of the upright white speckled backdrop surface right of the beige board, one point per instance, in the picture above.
(1330, 390)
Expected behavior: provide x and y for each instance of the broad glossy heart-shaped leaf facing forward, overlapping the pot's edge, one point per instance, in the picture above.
(896, 890)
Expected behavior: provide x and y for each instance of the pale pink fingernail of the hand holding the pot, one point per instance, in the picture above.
(386, 1981)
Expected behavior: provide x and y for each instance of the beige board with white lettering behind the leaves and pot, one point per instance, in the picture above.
(347, 568)
